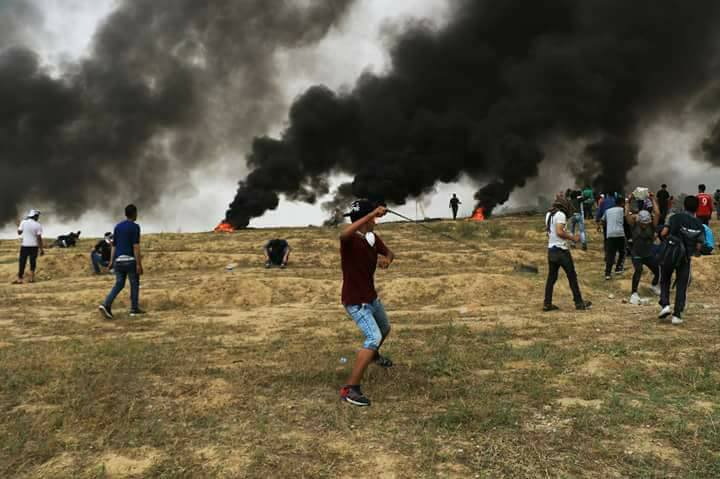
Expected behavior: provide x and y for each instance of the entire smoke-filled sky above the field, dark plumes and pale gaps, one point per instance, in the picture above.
(158, 101)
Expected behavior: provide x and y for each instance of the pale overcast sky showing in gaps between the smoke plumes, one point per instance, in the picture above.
(337, 61)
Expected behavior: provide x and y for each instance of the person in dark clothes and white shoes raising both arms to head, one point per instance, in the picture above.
(643, 226)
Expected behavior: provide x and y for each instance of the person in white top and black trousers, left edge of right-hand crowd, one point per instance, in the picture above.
(559, 255)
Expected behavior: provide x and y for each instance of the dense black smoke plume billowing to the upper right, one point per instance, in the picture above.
(484, 94)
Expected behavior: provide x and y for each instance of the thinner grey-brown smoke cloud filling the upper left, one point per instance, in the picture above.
(169, 85)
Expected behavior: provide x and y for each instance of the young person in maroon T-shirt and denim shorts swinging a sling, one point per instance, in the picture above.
(361, 251)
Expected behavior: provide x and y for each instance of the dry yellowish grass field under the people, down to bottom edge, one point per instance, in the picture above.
(236, 373)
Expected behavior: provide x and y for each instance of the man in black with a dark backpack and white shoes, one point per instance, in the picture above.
(684, 236)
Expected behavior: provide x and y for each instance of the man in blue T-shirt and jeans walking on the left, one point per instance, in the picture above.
(127, 262)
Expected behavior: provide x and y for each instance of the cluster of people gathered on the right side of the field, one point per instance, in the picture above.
(643, 226)
